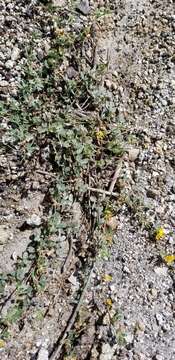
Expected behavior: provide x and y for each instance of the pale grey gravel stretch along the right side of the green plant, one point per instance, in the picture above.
(142, 289)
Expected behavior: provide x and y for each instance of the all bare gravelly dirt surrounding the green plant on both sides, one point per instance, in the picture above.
(130, 313)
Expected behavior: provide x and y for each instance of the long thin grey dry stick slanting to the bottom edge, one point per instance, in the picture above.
(55, 355)
